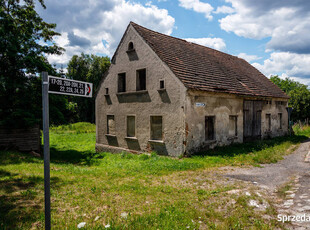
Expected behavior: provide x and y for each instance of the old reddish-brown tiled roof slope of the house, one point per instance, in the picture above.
(203, 68)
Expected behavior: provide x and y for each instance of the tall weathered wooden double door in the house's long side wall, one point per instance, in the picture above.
(252, 111)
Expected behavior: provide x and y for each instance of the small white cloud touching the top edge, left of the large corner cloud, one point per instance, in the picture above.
(198, 6)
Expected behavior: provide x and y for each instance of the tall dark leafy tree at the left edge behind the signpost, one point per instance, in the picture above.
(25, 39)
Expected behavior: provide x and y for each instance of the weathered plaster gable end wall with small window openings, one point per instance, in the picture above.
(169, 104)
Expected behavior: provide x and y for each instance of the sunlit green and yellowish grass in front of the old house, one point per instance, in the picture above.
(126, 191)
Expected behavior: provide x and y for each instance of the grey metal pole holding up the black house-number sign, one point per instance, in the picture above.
(47, 194)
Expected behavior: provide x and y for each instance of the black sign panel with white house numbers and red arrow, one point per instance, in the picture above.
(69, 87)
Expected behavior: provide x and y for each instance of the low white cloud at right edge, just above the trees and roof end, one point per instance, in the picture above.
(291, 64)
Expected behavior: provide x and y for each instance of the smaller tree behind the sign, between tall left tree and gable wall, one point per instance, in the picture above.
(88, 68)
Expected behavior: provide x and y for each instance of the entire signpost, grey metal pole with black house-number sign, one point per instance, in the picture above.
(56, 85)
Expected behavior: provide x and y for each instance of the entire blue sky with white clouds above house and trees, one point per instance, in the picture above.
(272, 35)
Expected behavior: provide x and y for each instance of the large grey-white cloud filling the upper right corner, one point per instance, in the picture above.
(286, 22)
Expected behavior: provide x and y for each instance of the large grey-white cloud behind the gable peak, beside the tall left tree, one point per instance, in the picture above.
(96, 26)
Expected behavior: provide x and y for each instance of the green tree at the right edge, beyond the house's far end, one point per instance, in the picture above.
(299, 97)
